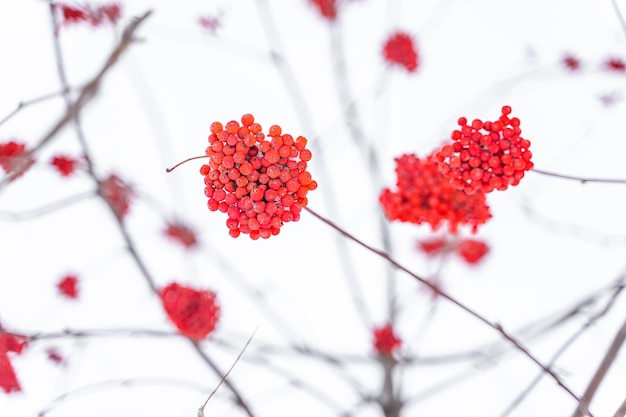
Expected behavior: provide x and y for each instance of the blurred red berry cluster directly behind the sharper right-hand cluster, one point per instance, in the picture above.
(424, 195)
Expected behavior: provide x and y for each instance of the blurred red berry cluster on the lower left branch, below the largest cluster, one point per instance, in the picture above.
(195, 313)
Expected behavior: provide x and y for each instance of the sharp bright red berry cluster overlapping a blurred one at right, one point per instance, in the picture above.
(486, 156)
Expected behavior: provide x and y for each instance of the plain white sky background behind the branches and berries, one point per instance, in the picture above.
(154, 109)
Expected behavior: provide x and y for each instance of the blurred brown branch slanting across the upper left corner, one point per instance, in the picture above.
(86, 94)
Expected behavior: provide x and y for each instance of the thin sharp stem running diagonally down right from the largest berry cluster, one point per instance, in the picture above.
(497, 327)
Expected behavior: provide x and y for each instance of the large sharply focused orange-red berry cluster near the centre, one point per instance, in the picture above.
(260, 182)
